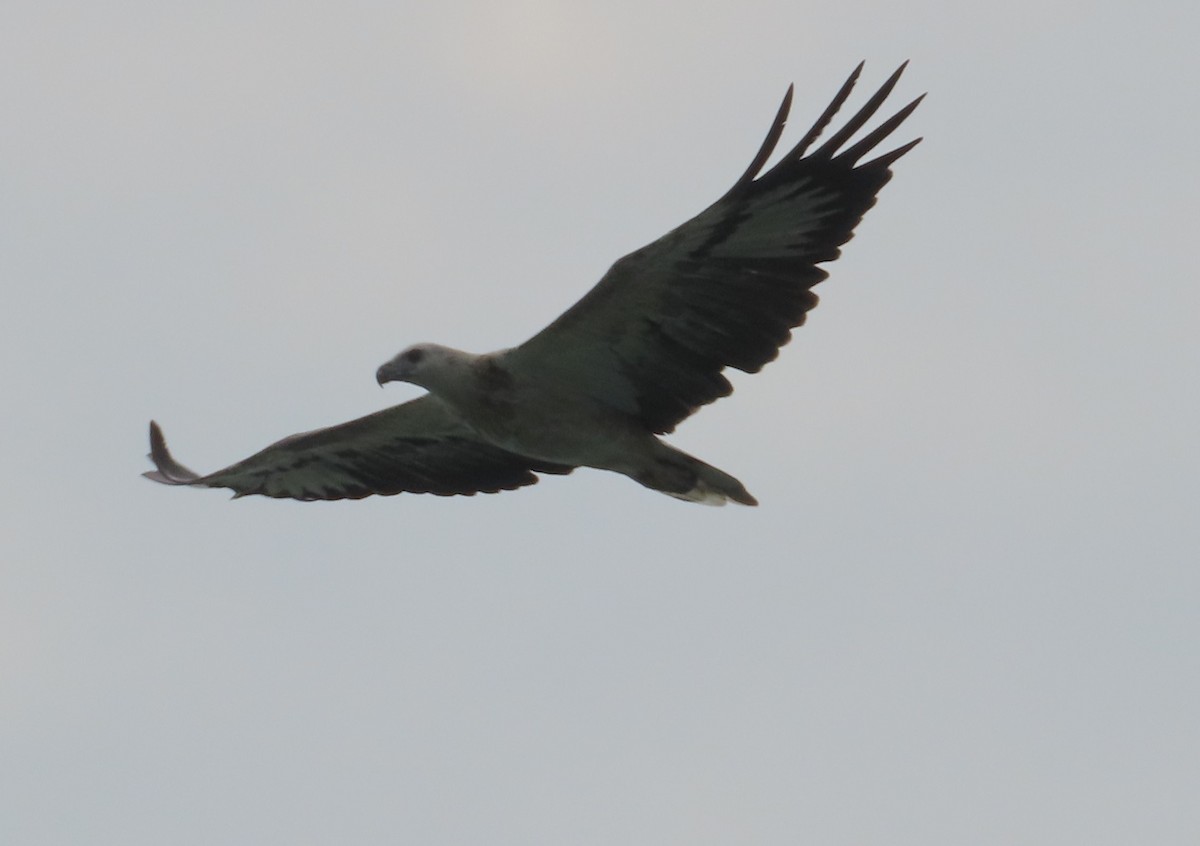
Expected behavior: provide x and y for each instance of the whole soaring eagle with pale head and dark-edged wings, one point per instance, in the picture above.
(640, 353)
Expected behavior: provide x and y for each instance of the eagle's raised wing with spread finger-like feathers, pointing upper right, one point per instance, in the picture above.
(725, 289)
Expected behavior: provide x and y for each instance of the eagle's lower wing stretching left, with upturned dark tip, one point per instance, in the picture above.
(419, 447)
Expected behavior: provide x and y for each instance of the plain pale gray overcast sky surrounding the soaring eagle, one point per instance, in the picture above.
(967, 611)
